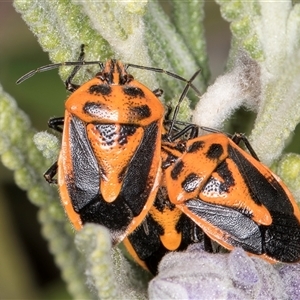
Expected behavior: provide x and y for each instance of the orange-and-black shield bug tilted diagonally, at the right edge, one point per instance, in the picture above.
(232, 197)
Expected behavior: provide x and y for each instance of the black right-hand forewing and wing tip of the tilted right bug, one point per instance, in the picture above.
(281, 240)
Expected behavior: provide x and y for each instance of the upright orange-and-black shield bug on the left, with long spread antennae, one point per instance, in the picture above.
(108, 170)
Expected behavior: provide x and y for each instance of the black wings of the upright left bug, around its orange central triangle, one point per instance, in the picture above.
(83, 186)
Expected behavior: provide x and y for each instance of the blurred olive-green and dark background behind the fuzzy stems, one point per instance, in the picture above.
(27, 269)
